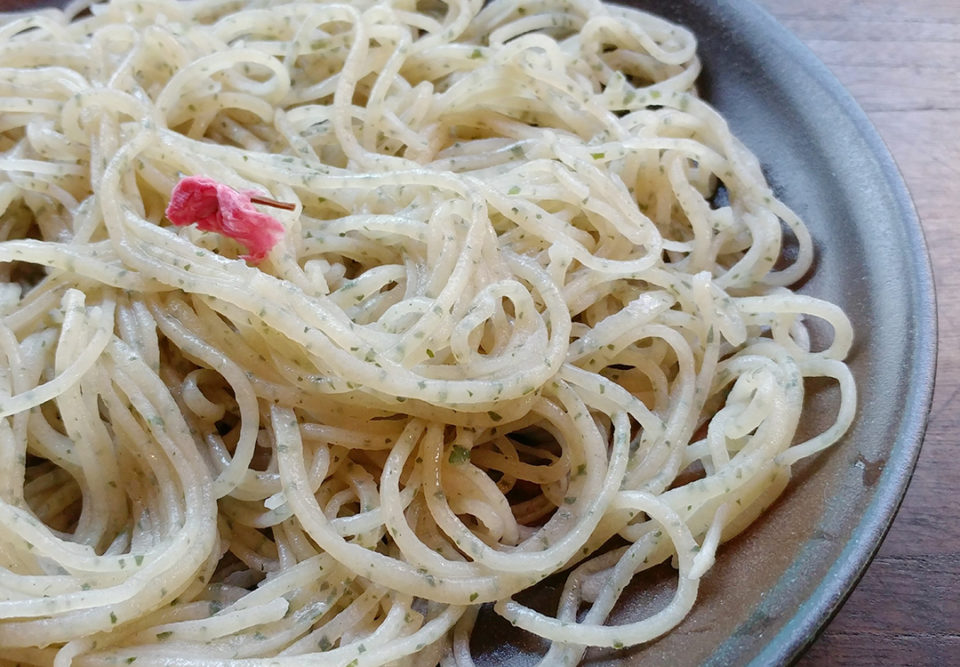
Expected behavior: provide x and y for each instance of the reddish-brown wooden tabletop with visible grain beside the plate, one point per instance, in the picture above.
(901, 61)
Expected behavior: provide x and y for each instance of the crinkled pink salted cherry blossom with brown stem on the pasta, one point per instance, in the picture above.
(216, 207)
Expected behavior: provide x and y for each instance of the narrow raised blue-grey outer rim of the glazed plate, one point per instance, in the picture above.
(812, 617)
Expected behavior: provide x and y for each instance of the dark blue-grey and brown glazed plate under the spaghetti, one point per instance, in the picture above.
(774, 587)
